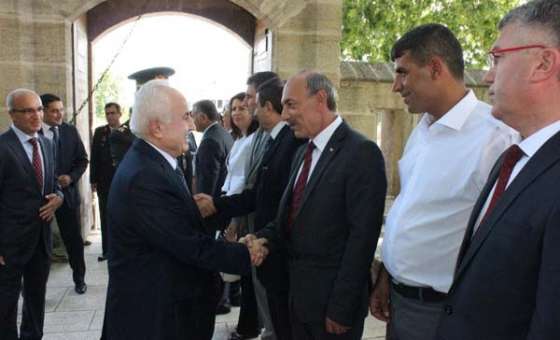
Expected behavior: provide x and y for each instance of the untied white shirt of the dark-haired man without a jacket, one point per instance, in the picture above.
(442, 171)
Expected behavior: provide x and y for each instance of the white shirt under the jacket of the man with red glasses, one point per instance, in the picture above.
(529, 146)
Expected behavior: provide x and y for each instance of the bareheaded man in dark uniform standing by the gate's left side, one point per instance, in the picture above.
(103, 166)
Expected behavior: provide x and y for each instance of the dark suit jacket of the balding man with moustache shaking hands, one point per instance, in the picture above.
(334, 235)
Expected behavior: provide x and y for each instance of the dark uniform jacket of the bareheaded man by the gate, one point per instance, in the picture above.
(103, 163)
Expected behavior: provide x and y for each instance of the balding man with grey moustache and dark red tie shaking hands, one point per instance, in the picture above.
(330, 214)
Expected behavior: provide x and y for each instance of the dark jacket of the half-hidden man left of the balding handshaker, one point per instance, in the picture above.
(264, 199)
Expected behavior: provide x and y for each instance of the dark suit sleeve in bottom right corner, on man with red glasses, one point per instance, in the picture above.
(545, 322)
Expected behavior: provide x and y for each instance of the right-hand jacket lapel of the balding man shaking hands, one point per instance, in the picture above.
(331, 149)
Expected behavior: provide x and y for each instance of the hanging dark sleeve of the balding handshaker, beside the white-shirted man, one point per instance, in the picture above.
(366, 186)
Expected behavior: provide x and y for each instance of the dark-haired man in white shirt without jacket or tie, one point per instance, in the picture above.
(443, 169)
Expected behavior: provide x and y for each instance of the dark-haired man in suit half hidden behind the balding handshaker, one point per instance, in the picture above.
(264, 198)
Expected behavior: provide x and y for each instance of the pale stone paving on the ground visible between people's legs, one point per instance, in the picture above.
(70, 316)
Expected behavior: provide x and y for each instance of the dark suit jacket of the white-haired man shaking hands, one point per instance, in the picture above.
(160, 258)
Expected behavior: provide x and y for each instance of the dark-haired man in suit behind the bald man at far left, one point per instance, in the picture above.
(71, 162)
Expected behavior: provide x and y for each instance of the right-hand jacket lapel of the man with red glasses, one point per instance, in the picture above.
(547, 156)
